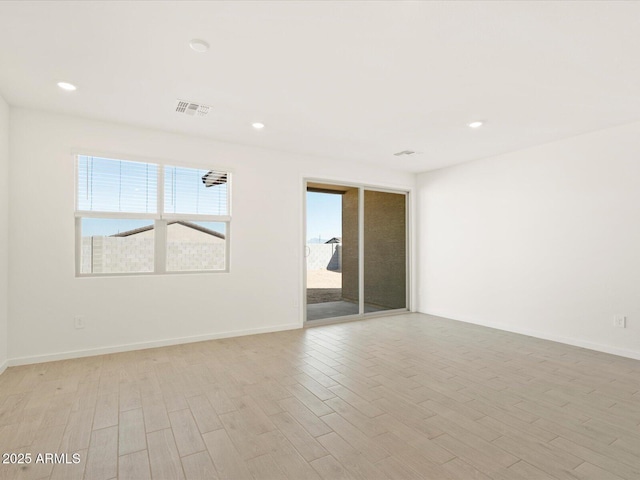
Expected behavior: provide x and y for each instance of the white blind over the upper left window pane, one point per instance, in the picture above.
(109, 185)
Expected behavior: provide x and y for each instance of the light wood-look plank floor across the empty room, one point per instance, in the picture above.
(400, 397)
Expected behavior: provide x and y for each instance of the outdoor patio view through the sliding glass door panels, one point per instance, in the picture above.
(340, 249)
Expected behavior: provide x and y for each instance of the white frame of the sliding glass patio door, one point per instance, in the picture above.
(408, 252)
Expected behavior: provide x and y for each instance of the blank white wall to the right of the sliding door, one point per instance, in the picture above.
(544, 241)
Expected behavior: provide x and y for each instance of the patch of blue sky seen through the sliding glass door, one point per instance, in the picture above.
(324, 216)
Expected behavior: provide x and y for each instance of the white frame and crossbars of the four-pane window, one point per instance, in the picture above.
(160, 219)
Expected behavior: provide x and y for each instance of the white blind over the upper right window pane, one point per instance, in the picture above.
(195, 192)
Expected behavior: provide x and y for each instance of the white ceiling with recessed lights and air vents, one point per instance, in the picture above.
(350, 80)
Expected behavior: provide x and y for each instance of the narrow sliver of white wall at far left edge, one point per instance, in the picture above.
(4, 228)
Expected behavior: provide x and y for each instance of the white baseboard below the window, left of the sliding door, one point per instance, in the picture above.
(144, 345)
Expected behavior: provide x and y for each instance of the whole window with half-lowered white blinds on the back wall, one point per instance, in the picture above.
(135, 217)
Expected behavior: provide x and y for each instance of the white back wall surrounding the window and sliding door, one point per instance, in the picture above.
(262, 292)
